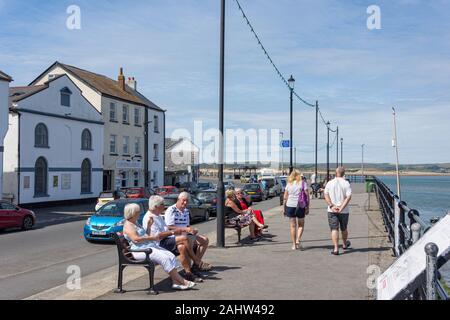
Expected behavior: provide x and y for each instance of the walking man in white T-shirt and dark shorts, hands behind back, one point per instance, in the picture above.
(338, 194)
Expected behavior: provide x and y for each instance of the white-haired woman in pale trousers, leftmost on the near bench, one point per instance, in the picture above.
(139, 240)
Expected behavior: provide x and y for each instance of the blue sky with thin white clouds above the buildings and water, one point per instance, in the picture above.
(171, 47)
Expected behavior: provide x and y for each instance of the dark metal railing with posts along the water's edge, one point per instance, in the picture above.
(411, 227)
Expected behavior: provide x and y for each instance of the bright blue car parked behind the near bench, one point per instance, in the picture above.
(109, 219)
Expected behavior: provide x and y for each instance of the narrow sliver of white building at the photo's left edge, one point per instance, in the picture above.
(4, 93)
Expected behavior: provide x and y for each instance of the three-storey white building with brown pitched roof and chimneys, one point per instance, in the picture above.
(134, 127)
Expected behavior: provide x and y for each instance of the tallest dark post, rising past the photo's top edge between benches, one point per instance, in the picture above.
(220, 186)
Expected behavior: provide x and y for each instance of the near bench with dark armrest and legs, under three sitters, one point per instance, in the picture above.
(126, 259)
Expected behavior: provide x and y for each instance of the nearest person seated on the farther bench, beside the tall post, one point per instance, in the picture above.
(243, 217)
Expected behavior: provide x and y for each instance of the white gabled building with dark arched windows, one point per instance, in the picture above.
(54, 146)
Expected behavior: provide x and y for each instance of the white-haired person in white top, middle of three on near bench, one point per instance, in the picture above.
(172, 241)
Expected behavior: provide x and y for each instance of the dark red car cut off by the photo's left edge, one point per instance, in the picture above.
(12, 216)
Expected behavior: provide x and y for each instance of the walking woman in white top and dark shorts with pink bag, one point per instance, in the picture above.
(292, 208)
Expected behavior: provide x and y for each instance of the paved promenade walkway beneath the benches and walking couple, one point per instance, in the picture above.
(269, 269)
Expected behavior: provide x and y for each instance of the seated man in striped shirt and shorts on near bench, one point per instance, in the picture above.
(177, 218)
